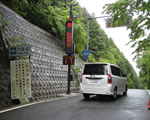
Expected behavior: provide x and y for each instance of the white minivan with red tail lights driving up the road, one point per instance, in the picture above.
(102, 79)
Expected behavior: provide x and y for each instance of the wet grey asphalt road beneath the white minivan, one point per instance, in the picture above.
(130, 107)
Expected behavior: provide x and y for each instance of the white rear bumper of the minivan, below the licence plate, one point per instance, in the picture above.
(98, 91)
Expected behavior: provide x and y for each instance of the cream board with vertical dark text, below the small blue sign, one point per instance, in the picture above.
(20, 79)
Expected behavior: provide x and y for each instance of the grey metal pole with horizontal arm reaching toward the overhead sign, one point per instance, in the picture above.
(87, 48)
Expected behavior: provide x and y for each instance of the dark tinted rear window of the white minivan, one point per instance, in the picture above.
(95, 69)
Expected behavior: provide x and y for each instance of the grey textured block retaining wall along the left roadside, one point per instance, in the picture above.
(48, 75)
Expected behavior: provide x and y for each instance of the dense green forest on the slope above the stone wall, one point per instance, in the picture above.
(51, 15)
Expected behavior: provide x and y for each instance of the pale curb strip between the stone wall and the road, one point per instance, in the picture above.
(62, 96)
